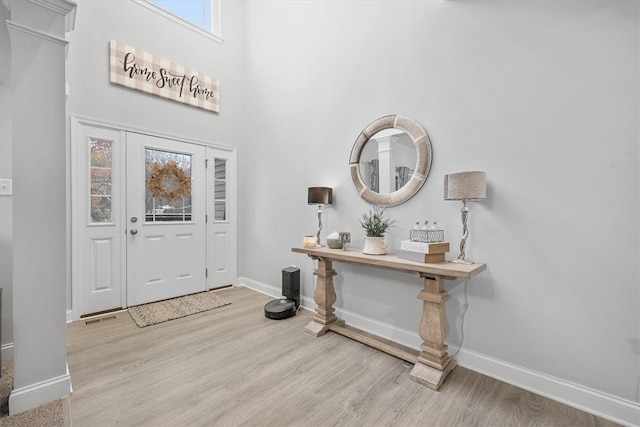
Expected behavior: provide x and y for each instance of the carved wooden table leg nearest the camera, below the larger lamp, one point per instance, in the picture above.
(434, 363)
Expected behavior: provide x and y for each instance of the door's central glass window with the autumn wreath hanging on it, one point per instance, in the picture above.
(168, 186)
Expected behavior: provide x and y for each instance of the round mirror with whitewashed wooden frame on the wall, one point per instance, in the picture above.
(390, 160)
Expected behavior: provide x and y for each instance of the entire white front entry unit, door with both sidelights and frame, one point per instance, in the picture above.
(173, 245)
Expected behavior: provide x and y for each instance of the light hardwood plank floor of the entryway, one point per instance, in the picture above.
(231, 366)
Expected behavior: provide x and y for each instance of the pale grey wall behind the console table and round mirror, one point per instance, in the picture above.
(543, 96)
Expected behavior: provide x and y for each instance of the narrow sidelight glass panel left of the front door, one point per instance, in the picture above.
(101, 180)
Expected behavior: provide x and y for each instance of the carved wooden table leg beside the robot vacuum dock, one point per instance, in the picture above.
(325, 297)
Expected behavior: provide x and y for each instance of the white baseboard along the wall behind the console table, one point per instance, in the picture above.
(595, 402)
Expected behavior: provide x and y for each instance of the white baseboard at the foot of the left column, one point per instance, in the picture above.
(34, 395)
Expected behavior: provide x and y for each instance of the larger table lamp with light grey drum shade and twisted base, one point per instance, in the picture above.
(465, 186)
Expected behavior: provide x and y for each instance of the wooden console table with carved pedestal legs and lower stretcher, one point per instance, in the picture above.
(432, 363)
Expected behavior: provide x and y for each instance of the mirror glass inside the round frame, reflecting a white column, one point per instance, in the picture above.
(388, 161)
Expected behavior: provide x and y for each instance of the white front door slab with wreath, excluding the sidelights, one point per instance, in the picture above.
(165, 218)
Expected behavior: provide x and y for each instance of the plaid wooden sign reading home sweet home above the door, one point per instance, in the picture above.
(137, 69)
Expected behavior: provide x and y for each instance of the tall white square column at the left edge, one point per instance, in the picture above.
(39, 160)
